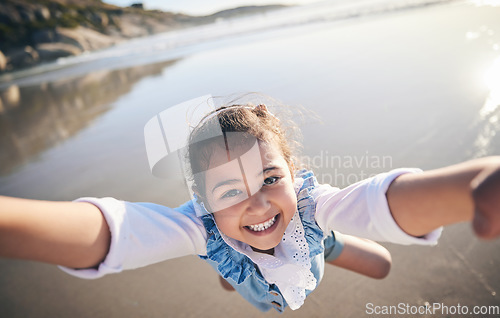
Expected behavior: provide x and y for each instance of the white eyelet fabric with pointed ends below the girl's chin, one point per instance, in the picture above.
(290, 266)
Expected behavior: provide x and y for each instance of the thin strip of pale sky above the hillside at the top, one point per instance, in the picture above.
(201, 7)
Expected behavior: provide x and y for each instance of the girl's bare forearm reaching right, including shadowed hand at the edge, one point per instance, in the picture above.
(423, 202)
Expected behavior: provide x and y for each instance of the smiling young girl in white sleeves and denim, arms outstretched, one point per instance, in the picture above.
(264, 226)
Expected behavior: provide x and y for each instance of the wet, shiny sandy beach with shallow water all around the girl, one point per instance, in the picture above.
(408, 88)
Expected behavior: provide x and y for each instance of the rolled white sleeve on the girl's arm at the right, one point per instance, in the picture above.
(362, 210)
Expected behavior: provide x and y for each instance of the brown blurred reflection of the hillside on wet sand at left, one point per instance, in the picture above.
(35, 118)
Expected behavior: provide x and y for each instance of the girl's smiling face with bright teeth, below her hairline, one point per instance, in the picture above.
(252, 196)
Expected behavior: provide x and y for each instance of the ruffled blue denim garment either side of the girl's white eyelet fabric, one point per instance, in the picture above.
(244, 275)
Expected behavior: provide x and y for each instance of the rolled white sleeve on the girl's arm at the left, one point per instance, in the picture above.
(143, 234)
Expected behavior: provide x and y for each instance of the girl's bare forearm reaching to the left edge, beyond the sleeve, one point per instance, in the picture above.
(72, 234)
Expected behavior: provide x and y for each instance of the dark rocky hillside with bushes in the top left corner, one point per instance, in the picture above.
(32, 31)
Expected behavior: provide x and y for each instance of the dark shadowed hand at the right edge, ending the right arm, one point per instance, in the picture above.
(486, 197)
